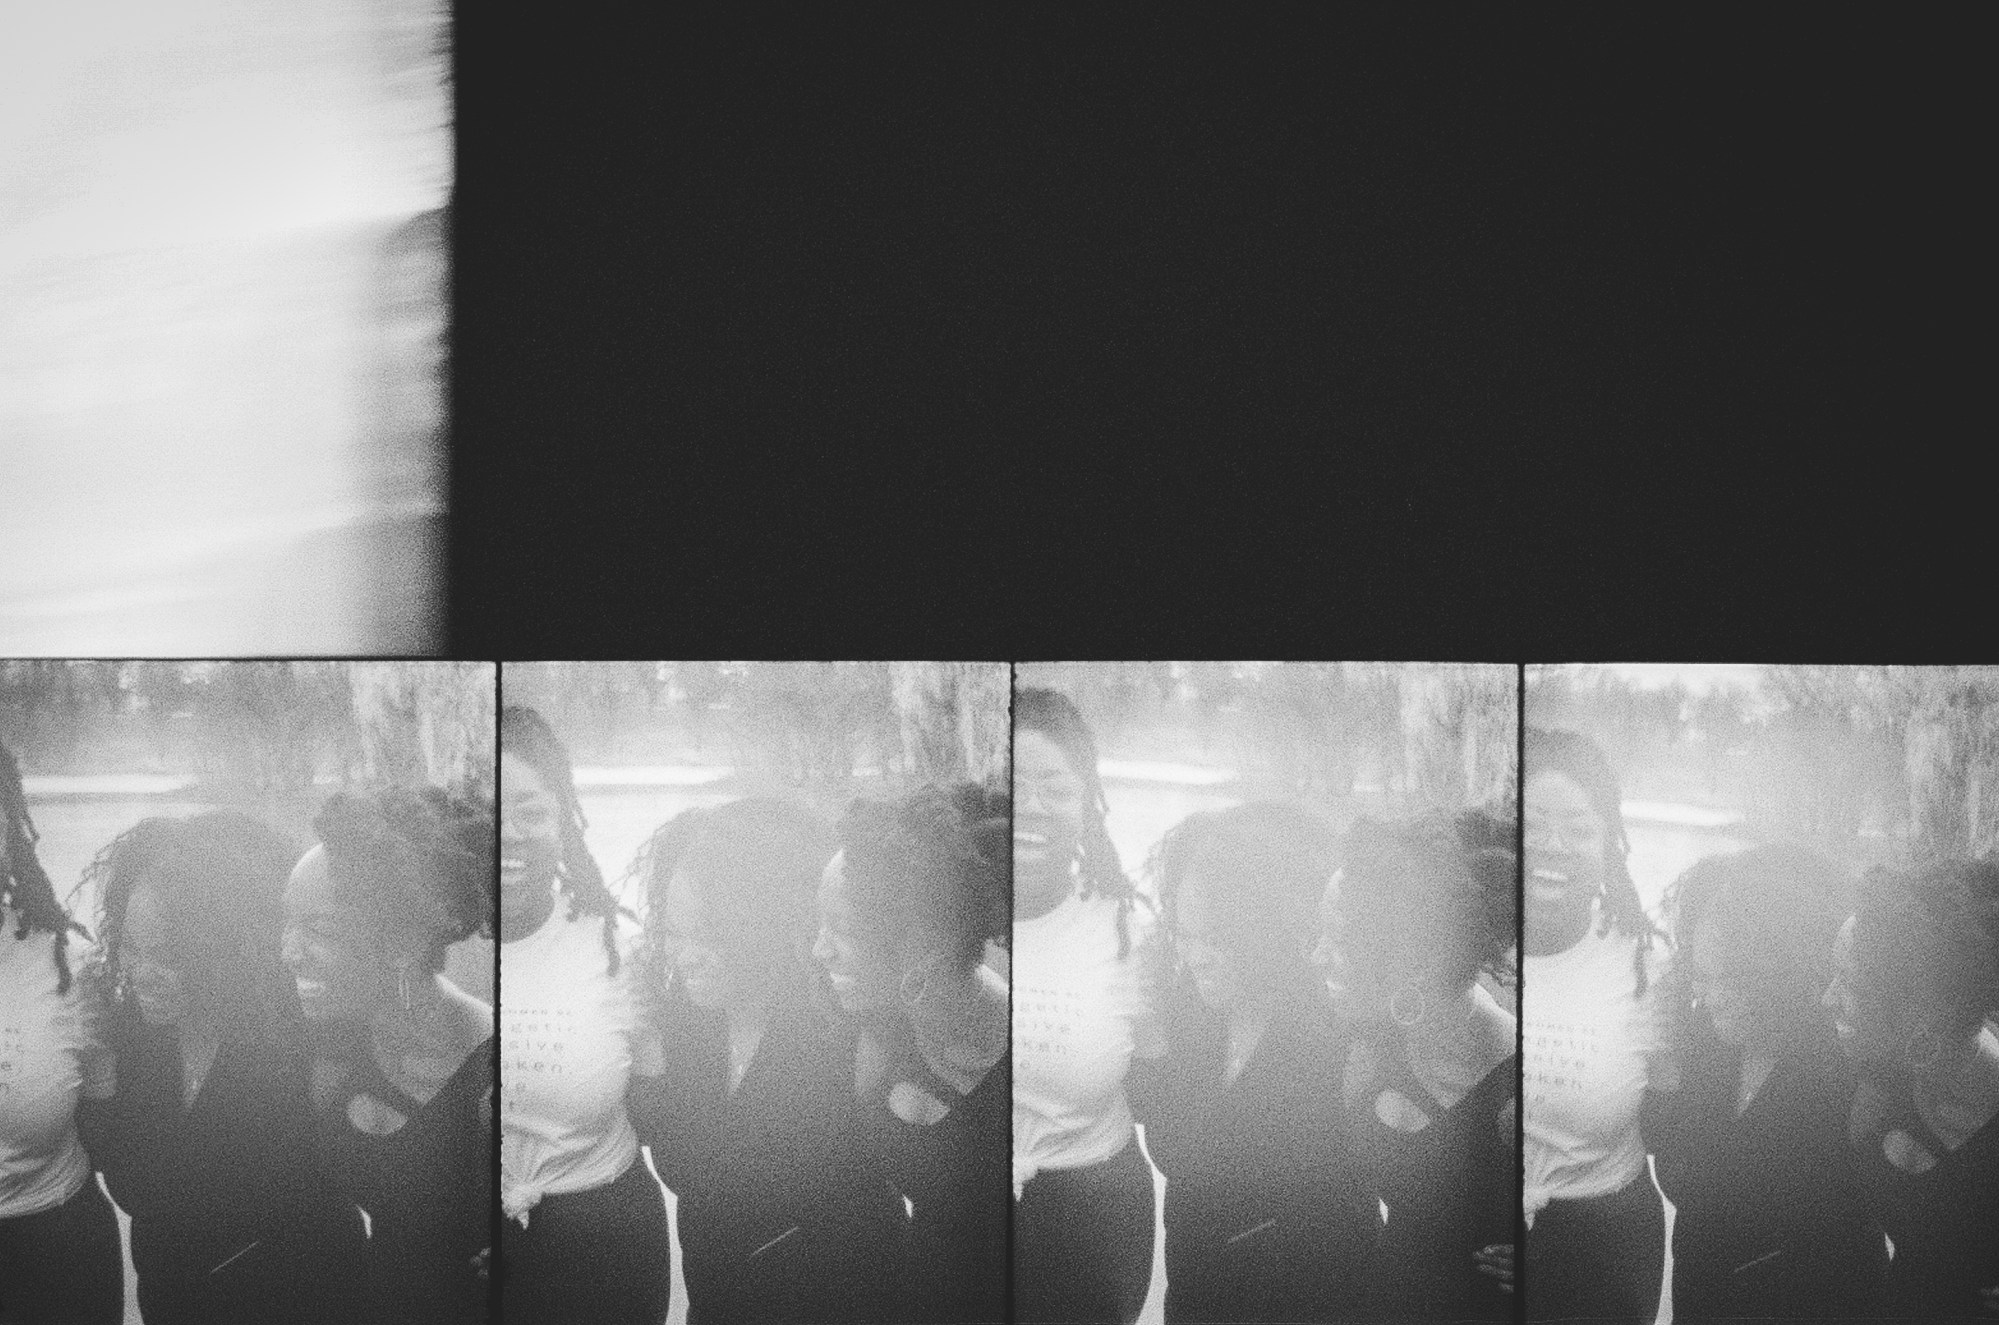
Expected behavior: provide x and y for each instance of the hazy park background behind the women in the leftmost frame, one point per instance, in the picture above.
(107, 744)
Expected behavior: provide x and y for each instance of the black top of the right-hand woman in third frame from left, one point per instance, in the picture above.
(1450, 1188)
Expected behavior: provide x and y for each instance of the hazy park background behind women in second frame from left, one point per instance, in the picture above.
(655, 738)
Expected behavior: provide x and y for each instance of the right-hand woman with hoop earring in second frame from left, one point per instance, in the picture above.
(907, 908)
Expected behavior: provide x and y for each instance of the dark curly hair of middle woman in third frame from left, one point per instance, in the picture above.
(1268, 864)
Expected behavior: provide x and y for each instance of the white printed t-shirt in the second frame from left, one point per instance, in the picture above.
(571, 1040)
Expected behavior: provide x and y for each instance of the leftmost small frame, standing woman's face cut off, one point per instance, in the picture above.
(247, 1030)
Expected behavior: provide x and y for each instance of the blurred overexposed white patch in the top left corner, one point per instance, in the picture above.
(223, 327)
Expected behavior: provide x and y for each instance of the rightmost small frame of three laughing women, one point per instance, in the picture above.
(1762, 992)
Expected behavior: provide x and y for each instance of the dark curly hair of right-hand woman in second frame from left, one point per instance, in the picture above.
(931, 870)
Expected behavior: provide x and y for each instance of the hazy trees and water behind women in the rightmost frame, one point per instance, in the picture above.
(1864, 764)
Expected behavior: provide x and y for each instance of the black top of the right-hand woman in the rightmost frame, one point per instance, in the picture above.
(1944, 1222)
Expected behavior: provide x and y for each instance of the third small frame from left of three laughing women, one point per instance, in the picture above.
(1264, 992)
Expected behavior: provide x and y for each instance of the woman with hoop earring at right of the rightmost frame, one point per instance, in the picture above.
(1914, 994)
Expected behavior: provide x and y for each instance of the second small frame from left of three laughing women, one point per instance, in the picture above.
(755, 992)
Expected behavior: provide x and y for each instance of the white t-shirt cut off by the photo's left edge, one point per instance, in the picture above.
(49, 1058)
